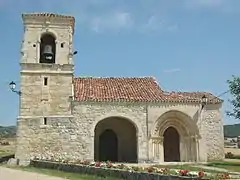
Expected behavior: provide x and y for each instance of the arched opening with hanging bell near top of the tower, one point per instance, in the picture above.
(47, 49)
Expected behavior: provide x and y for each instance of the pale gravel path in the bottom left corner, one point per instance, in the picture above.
(12, 174)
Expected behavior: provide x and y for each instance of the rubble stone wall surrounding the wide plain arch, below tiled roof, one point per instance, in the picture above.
(88, 115)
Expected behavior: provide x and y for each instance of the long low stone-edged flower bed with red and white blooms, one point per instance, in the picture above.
(121, 171)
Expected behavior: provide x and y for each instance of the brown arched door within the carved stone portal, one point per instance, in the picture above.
(171, 145)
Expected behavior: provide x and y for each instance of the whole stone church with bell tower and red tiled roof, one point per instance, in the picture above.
(121, 119)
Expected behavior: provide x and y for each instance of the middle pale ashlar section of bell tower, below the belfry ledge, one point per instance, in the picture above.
(40, 100)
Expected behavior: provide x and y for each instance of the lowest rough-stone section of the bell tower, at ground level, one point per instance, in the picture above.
(59, 139)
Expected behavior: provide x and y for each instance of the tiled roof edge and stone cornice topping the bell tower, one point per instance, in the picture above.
(40, 18)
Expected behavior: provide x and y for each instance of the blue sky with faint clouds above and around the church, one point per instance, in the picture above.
(188, 45)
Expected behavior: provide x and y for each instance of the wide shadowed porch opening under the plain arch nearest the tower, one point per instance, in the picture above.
(115, 139)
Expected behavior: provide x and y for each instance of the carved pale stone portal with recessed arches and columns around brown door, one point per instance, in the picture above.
(175, 138)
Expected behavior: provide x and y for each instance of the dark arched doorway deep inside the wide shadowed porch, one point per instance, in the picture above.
(108, 146)
